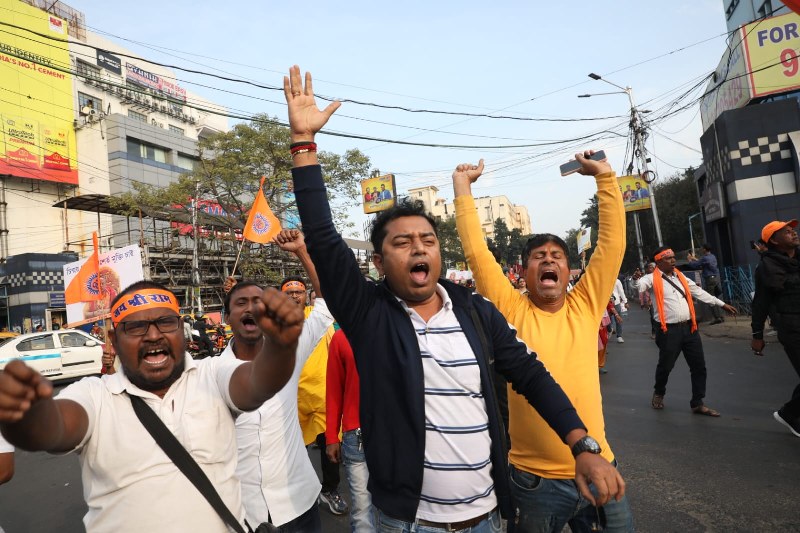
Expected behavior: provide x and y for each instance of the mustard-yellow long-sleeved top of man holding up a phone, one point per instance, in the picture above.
(565, 341)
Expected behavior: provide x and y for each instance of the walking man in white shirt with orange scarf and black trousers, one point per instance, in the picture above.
(671, 293)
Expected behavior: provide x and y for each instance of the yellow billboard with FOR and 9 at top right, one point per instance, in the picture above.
(772, 47)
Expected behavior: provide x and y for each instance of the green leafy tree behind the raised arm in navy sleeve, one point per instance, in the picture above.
(230, 167)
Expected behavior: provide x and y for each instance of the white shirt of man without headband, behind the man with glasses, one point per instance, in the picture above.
(277, 476)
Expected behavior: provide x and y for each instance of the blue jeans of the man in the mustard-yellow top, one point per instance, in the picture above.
(547, 505)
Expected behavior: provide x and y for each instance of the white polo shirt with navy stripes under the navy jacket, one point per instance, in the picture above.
(457, 483)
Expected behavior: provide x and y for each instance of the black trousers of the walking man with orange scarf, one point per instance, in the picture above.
(679, 338)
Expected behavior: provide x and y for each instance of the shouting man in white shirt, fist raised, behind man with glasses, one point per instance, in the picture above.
(279, 484)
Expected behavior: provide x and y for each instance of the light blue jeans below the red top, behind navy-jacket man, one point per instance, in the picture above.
(355, 470)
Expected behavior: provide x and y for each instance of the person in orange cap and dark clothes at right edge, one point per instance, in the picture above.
(777, 283)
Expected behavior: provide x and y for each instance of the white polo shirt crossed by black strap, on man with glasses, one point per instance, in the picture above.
(129, 483)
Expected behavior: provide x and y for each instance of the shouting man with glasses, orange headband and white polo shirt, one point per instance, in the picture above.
(130, 484)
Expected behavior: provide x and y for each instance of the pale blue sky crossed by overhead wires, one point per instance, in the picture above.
(521, 59)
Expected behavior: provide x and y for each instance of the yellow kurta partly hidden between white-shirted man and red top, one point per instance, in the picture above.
(311, 388)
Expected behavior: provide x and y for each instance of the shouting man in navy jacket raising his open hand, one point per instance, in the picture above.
(424, 349)
